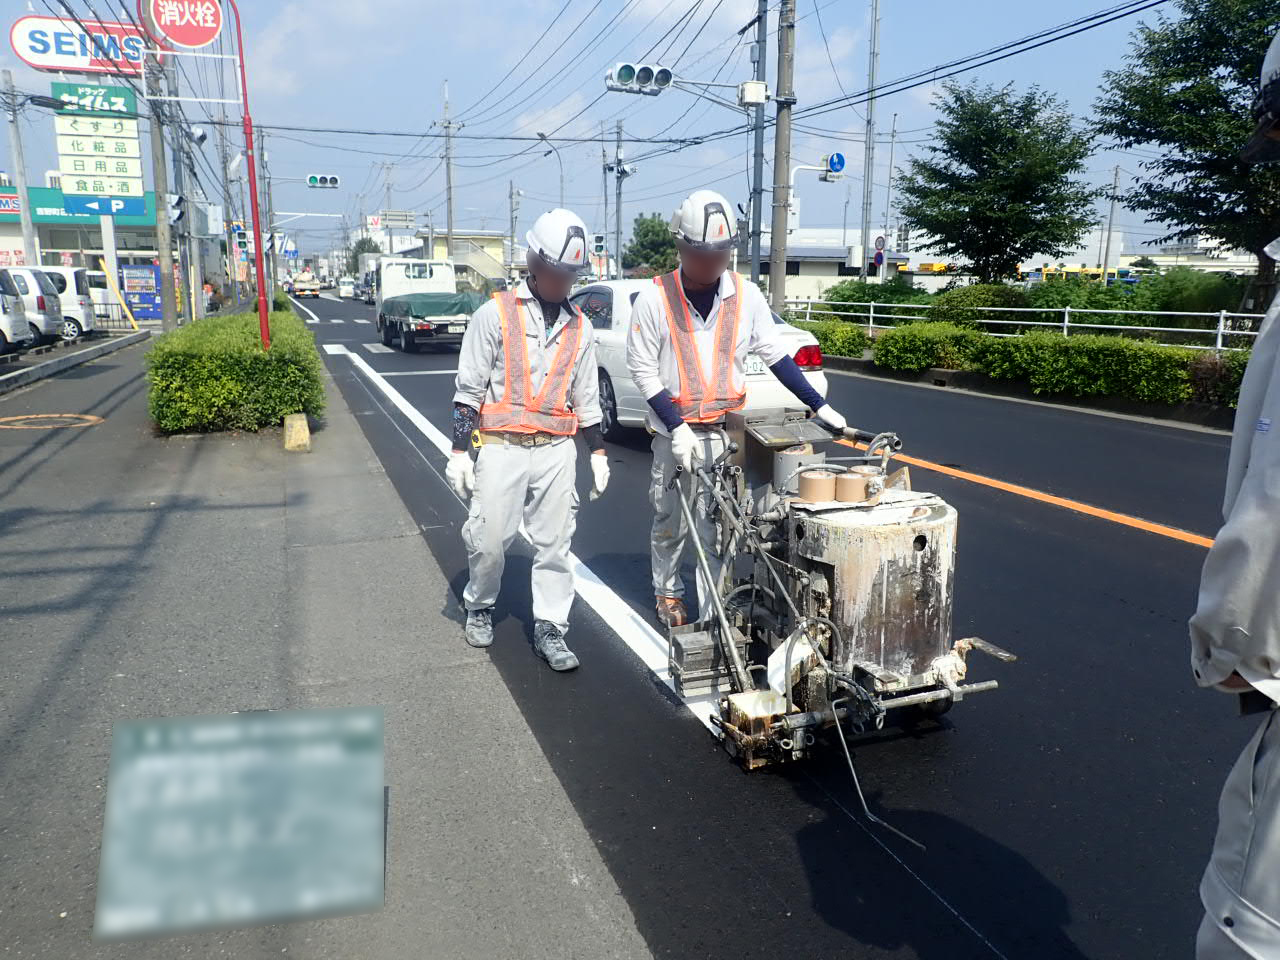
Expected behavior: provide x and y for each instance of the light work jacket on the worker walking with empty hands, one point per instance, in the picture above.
(483, 363)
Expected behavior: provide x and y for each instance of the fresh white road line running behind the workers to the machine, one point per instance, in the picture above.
(646, 643)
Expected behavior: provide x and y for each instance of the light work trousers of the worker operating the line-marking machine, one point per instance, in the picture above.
(670, 531)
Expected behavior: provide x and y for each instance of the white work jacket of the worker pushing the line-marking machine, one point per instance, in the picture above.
(652, 358)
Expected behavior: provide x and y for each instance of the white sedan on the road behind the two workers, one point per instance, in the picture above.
(607, 304)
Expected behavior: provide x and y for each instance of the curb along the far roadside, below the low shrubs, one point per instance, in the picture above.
(1196, 414)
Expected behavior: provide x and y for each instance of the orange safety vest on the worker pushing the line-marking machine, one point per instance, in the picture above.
(703, 400)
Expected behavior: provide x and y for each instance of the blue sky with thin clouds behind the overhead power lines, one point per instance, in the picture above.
(383, 66)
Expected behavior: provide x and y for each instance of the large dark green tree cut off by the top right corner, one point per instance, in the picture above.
(1186, 94)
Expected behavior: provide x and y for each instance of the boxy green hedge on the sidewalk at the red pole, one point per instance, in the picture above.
(214, 376)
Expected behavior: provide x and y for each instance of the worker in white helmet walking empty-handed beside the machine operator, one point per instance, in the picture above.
(527, 385)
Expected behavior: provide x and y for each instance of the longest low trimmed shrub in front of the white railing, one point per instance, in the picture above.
(1089, 365)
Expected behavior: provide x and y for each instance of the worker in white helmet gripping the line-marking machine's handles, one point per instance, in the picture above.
(687, 351)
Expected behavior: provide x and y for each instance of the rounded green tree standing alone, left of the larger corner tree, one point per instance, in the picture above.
(1002, 182)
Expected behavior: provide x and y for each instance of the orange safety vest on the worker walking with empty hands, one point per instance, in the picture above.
(520, 410)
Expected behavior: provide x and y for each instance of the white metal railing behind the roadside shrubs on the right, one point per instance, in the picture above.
(1217, 332)
